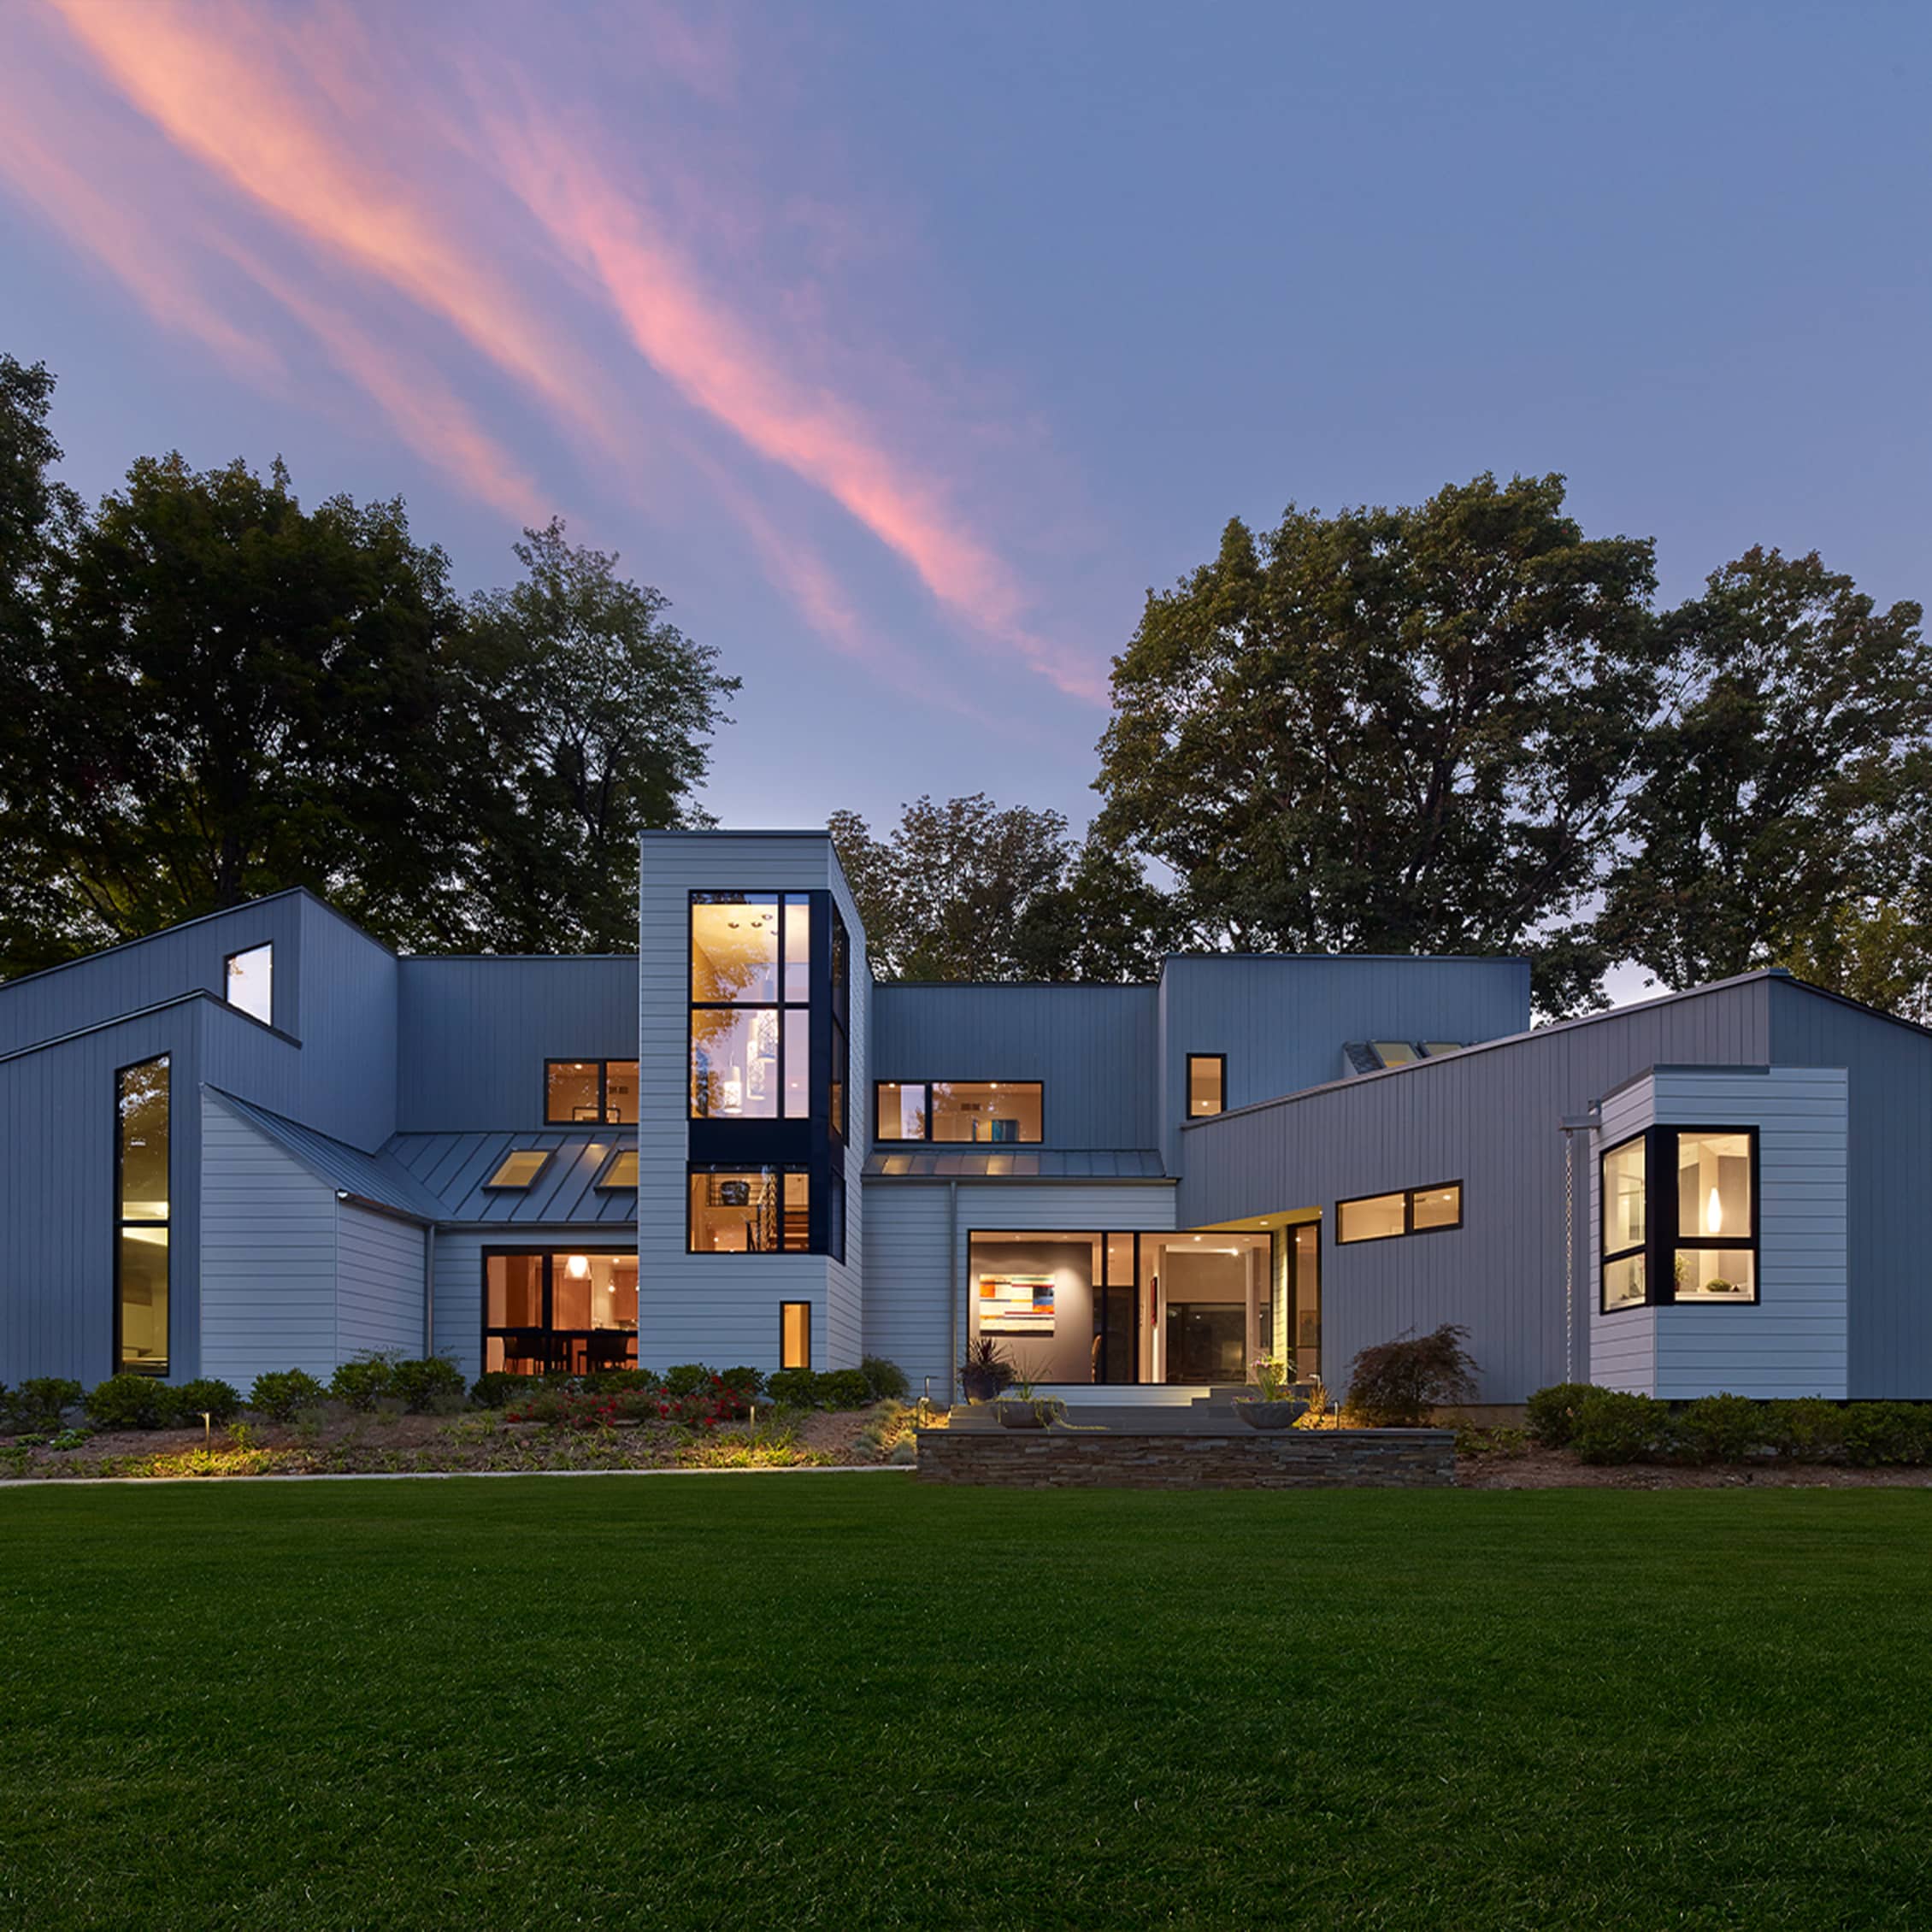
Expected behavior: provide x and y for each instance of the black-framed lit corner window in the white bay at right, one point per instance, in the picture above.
(1680, 1218)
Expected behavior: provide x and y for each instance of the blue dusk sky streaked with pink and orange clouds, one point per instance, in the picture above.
(907, 345)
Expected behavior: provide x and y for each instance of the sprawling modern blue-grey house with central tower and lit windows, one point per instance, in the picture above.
(264, 1141)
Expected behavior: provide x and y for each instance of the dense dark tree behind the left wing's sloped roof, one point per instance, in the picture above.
(231, 696)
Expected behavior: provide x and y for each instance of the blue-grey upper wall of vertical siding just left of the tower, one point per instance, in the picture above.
(474, 1035)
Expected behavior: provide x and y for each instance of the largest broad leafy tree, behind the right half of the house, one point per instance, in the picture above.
(1392, 731)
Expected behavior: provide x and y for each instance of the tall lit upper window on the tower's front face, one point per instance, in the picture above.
(751, 1008)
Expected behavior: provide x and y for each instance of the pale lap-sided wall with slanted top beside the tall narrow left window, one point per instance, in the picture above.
(268, 1257)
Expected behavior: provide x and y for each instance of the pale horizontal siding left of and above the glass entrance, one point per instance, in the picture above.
(911, 1276)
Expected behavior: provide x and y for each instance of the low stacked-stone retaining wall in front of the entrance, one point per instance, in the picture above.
(1151, 1460)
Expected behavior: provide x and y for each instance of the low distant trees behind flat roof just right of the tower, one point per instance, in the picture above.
(971, 892)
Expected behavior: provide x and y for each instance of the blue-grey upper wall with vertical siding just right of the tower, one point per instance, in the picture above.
(1093, 1048)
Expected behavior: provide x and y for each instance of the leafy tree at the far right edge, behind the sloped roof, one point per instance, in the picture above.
(1780, 814)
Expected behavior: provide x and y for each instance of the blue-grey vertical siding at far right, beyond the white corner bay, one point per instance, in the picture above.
(1889, 1201)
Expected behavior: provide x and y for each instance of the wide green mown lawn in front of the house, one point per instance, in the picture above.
(832, 1701)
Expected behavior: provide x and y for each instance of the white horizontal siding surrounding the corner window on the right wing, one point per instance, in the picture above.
(1794, 1338)
